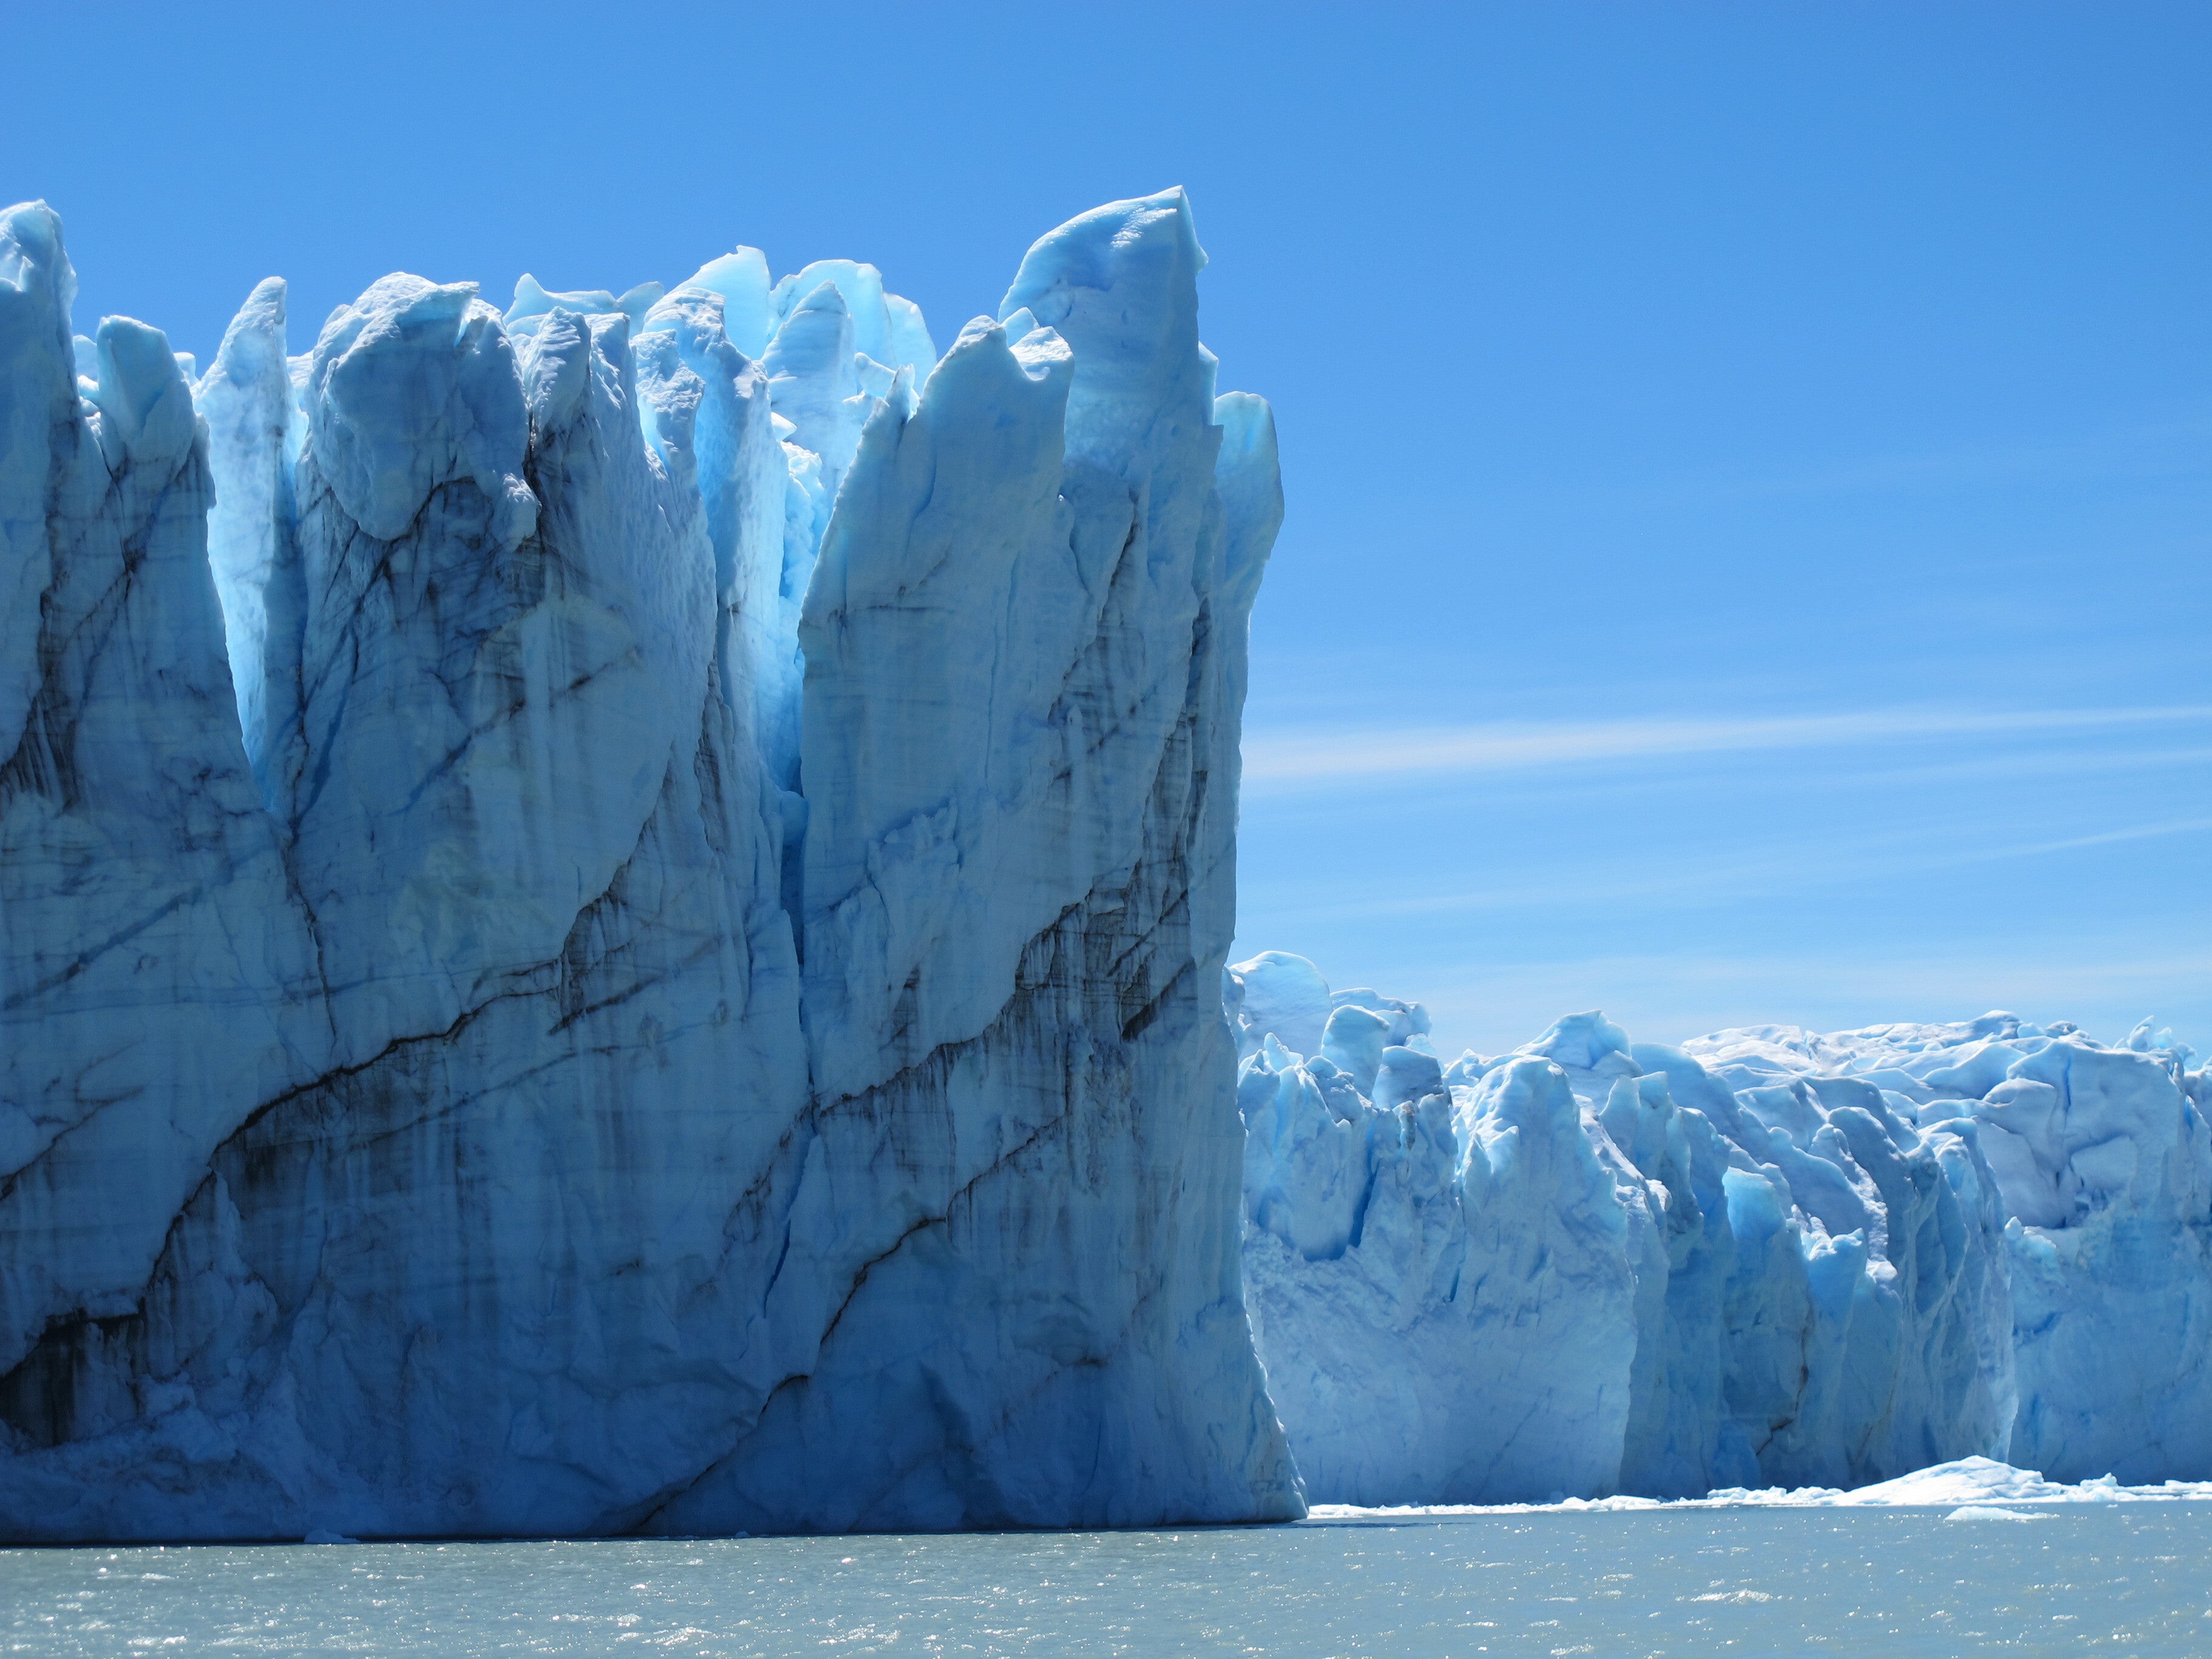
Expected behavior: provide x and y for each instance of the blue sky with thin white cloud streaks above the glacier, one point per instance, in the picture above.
(1751, 466)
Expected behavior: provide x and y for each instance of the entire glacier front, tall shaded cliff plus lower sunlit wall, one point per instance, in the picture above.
(616, 919)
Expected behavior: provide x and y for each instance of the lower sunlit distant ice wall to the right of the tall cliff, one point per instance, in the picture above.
(1760, 1260)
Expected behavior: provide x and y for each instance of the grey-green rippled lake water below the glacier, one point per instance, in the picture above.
(2085, 1578)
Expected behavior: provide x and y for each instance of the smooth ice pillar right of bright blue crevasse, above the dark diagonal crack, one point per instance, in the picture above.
(924, 729)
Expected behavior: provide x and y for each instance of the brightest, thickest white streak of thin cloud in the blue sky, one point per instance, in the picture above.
(1319, 758)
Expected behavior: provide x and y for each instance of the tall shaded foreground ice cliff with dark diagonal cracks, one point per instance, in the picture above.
(614, 912)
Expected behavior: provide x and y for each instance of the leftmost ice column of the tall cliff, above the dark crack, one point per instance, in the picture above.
(156, 981)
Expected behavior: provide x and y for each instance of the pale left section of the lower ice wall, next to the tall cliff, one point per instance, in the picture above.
(1446, 1291)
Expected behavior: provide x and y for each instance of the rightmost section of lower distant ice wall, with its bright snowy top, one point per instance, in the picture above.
(2105, 1165)
